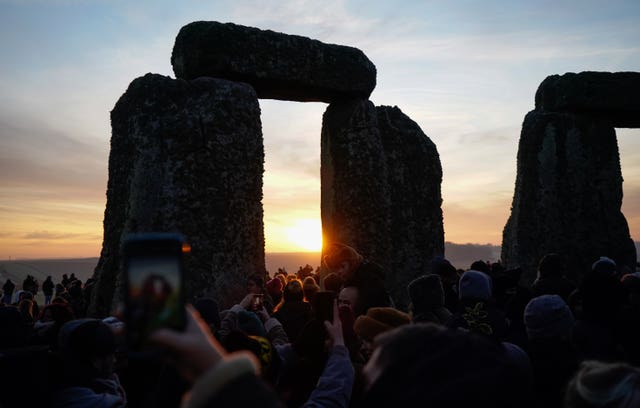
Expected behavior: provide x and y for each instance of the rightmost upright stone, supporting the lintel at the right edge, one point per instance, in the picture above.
(568, 195)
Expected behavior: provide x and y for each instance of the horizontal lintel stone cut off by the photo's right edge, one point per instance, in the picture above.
(608, 96)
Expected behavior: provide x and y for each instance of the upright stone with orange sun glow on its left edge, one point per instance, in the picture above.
(354, 190)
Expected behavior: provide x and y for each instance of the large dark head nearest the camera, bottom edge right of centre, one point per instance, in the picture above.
(448, 368)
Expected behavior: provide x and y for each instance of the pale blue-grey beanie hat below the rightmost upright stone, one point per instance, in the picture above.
(547, 316)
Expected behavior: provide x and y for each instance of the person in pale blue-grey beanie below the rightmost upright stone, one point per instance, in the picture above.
(549, 324)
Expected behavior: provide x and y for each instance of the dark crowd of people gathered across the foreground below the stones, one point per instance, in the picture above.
(473, 337)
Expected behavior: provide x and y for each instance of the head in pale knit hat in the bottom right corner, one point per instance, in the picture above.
(599, 384)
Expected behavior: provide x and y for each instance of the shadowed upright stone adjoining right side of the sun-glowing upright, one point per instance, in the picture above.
(414, 177)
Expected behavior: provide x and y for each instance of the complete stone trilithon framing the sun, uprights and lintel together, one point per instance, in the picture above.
(187, 156)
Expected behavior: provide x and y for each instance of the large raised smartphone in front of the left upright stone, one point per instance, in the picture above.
(153, 267)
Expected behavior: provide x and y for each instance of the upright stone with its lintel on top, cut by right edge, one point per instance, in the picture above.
(568, 191)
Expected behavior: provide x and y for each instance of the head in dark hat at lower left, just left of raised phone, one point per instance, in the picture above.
(87, 347)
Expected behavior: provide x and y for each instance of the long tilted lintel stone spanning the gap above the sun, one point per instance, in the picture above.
(278, 66)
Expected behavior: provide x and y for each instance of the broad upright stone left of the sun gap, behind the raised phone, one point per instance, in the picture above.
(186, 156)
